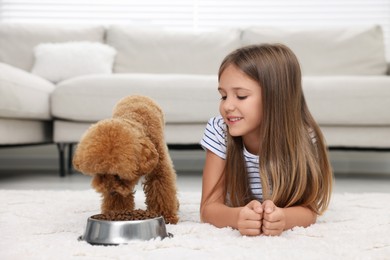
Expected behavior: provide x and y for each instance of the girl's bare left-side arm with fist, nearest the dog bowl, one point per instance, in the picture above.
(212, 208)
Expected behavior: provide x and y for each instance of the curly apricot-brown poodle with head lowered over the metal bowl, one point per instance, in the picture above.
(118, 151)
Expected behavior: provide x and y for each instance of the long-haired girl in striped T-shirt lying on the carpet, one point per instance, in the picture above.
(266, 167)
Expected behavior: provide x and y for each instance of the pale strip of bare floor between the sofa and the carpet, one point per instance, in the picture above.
(186, 181)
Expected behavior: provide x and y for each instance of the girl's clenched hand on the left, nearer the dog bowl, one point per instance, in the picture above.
(250, 218)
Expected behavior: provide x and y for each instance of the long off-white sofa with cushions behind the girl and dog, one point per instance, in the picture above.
(54, 92)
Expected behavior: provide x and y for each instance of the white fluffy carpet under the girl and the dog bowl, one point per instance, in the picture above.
(46, 225)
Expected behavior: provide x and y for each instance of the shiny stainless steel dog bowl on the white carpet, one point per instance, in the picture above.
(104, 232)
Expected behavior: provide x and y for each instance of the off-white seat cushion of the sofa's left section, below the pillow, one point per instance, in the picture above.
(23, 95)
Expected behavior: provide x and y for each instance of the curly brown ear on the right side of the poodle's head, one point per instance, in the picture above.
(148, 157)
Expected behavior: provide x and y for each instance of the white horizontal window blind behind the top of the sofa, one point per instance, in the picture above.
(202, 14)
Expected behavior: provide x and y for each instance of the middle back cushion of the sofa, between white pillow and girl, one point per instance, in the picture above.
(163, 51)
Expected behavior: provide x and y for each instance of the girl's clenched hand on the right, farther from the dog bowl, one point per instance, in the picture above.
(274, 219)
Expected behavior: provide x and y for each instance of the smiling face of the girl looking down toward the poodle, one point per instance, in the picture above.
(241, 105)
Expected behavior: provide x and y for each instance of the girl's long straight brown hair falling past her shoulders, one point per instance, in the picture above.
(294, 166)
